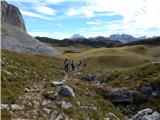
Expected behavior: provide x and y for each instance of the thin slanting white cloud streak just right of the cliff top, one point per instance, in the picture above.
(31, 14)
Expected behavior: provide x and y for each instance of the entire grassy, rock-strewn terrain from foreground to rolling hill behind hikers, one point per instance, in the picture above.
(32, 90)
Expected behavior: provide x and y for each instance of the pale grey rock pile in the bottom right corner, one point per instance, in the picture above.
(146, 114)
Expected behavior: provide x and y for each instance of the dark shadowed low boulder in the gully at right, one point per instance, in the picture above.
(119, 95)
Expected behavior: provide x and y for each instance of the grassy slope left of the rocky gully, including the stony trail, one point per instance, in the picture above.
(23, 78)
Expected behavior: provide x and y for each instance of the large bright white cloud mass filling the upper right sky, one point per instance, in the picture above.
(138, 15)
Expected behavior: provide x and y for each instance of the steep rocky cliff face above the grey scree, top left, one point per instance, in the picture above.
(10, 14)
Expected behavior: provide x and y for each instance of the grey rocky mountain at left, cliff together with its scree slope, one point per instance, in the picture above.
(14, 35)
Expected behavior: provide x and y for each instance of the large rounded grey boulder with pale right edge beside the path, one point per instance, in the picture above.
(66, 91)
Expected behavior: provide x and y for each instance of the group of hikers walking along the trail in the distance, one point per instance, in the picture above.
(74, 65)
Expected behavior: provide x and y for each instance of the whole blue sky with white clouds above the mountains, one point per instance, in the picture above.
(63, 18)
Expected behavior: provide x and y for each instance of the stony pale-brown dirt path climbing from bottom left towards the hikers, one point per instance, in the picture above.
(35, 106)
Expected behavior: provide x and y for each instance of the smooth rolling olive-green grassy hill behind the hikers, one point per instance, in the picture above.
(118, 57)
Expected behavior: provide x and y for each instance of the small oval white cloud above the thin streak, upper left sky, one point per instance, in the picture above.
(45, 10)
